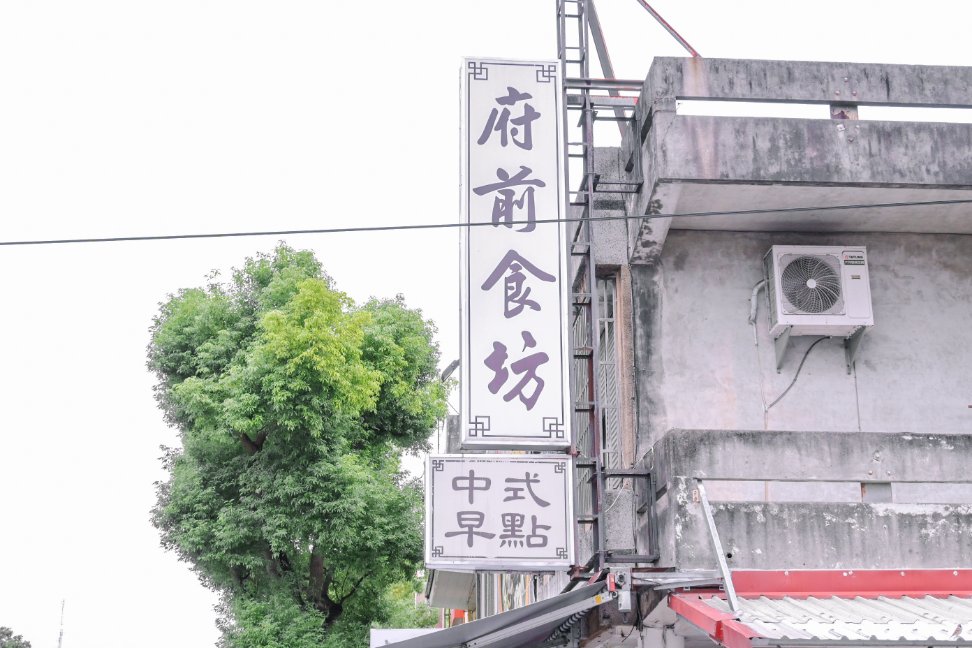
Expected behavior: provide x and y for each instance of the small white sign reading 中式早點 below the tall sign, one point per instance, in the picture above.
(499, 512)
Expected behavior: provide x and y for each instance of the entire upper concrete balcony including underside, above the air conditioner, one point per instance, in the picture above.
(799, 159)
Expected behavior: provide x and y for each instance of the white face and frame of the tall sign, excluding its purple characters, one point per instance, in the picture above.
(484, 422)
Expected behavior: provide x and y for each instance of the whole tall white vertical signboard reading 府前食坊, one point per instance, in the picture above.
(514, 284)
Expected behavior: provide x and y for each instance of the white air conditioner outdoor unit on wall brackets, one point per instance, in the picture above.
(818, 290)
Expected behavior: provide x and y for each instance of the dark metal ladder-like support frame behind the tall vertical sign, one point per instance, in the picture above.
(578, 26)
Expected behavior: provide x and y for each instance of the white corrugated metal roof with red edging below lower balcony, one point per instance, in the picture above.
(883, 618)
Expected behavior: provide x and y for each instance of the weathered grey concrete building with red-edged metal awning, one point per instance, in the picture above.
(847, 471)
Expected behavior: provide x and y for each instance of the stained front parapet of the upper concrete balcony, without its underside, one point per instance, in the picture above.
(800, 150)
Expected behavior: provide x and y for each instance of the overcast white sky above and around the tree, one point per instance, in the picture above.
(129, 117)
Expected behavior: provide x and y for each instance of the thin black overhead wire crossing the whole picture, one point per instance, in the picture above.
(430, 226)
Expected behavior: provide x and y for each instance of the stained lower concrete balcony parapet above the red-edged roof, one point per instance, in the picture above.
(812, 534)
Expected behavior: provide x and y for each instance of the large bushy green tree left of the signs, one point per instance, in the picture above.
(294, 406)
